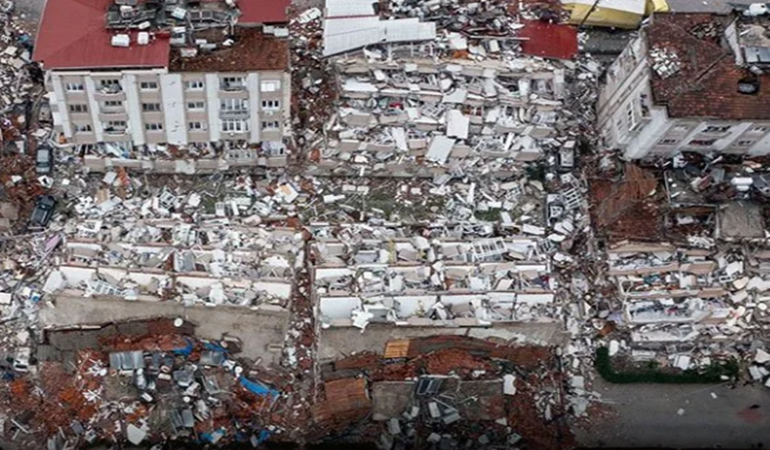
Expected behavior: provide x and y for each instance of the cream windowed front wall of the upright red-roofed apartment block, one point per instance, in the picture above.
(153, 106)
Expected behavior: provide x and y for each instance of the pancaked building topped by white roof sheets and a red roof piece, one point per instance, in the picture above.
(422, 92)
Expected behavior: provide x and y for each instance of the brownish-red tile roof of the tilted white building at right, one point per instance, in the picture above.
(706, 84)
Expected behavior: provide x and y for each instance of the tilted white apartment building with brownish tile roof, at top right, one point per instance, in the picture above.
(690, 82)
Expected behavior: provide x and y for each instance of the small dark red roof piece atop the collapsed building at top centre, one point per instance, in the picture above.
(548, 40)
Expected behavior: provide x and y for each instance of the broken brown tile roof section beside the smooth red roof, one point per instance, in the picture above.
(252, 50)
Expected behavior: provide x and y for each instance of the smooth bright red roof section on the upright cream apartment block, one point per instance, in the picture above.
(73, 35)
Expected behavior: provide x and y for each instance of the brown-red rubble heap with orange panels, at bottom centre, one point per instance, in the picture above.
(449, 391)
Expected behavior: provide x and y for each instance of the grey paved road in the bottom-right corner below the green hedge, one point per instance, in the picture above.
(647, 416)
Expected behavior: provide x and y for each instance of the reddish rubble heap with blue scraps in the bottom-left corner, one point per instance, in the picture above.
(144, 388)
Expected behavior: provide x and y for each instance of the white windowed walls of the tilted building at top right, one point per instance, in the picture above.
(630, 122)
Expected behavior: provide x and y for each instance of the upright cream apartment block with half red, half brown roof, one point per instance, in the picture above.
(137, 79)
